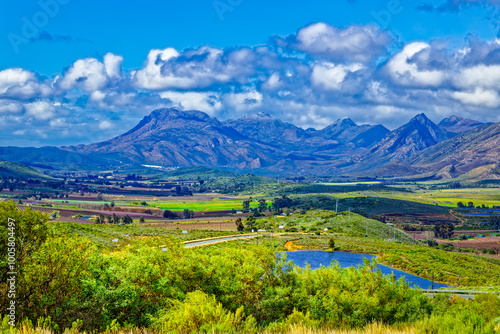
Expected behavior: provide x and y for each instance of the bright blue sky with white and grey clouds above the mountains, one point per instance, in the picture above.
(79, 72)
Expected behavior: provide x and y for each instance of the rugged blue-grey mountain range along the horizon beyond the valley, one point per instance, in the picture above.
(263, 144)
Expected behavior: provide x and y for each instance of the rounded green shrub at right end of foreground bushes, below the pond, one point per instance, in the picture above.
(355, 297)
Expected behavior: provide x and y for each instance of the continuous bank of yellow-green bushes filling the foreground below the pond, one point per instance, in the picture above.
(252, 286)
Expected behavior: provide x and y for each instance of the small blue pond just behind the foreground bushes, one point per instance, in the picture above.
(323, 258)
